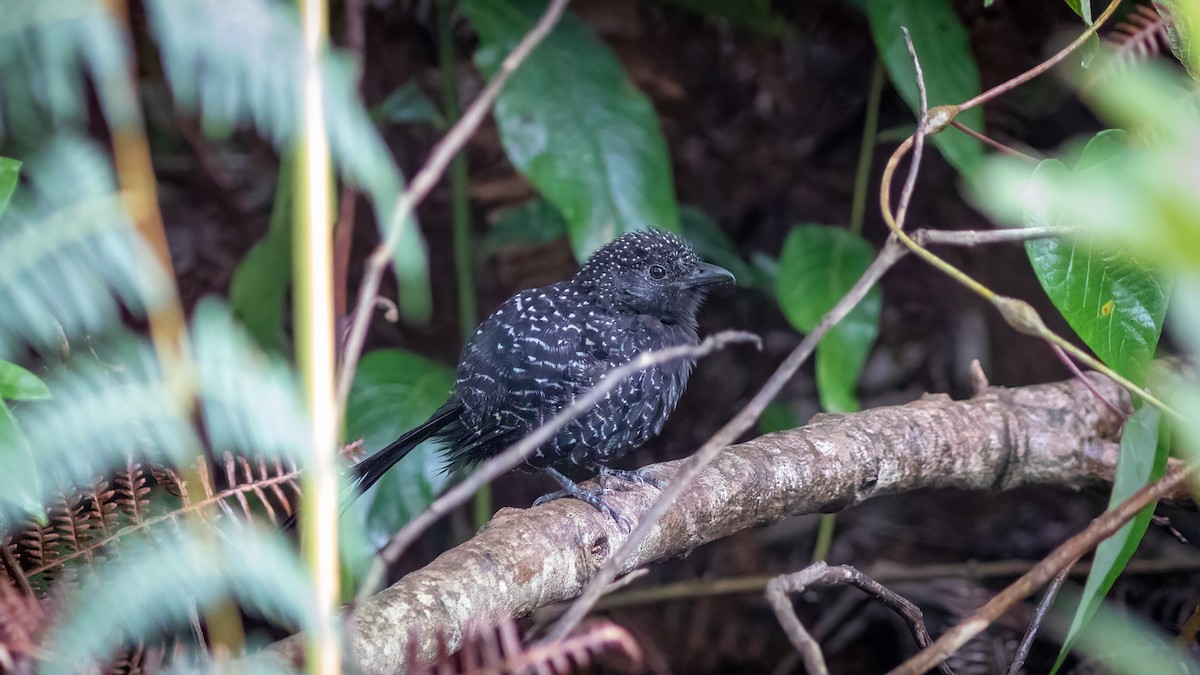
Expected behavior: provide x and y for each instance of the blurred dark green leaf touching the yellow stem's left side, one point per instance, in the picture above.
(260, 288)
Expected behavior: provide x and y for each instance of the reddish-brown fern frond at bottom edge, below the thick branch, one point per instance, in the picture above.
(500, 652)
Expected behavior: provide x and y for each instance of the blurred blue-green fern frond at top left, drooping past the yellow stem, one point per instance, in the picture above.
(241, 62)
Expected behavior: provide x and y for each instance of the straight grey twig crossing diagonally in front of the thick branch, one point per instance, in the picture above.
(727, 435)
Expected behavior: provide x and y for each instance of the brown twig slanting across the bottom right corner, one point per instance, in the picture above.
(1043, 572)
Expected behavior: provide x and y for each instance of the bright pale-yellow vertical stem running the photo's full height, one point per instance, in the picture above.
(314, 284)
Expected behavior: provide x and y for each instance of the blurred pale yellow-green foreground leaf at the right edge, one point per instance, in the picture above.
(1143, 204)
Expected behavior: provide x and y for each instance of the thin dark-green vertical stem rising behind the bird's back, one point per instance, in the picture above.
(460, 207)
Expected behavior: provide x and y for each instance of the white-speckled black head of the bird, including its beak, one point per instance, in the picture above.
(651, 272)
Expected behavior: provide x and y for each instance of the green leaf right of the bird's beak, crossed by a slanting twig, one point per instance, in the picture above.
(818, 266)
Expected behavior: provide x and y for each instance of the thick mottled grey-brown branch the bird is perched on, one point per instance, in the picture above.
(525, 559)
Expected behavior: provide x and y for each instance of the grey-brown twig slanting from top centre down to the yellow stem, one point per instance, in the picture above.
(423, 183)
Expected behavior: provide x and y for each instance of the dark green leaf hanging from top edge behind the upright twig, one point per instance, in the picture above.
(951, 73)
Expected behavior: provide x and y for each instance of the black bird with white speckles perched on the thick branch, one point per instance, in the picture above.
(544, 348)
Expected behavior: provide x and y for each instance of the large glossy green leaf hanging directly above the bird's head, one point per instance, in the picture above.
(595, 148)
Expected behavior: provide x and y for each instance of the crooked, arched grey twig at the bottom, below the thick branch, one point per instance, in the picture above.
(821, 575)
